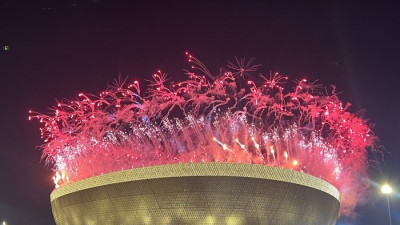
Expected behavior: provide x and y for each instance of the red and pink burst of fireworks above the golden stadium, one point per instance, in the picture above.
(210, 118)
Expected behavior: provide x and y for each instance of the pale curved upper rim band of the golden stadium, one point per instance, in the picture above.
(199, 169)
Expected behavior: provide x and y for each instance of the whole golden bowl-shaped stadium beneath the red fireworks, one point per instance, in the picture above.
(198, 193)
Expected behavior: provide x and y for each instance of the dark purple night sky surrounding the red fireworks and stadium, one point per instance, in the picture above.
(60, 48)
